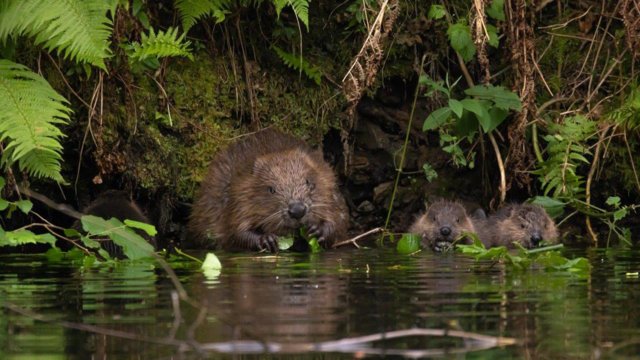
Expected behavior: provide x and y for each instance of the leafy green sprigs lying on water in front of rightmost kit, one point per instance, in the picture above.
(546, 257)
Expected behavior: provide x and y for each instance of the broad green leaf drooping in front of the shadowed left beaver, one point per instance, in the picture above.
(133, 245)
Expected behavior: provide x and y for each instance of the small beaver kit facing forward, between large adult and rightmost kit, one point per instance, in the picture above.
(442, 224)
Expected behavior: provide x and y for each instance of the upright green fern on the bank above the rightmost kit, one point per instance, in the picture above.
(566, 150)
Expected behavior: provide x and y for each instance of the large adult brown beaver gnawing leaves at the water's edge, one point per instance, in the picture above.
(264, 186)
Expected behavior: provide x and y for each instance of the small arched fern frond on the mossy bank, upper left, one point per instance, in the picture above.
(162, 44)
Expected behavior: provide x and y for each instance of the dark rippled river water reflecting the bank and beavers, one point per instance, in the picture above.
(303, 298)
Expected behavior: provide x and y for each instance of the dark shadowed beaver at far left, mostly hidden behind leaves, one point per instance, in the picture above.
(116, 204)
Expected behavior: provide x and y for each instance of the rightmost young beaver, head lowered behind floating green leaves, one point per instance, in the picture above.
(527, 224)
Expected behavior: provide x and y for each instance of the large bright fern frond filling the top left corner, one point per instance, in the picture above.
(77, 29)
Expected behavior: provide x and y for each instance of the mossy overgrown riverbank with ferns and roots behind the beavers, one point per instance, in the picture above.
(139, 95)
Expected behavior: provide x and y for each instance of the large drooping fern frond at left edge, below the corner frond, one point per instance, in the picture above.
(31, 111)
